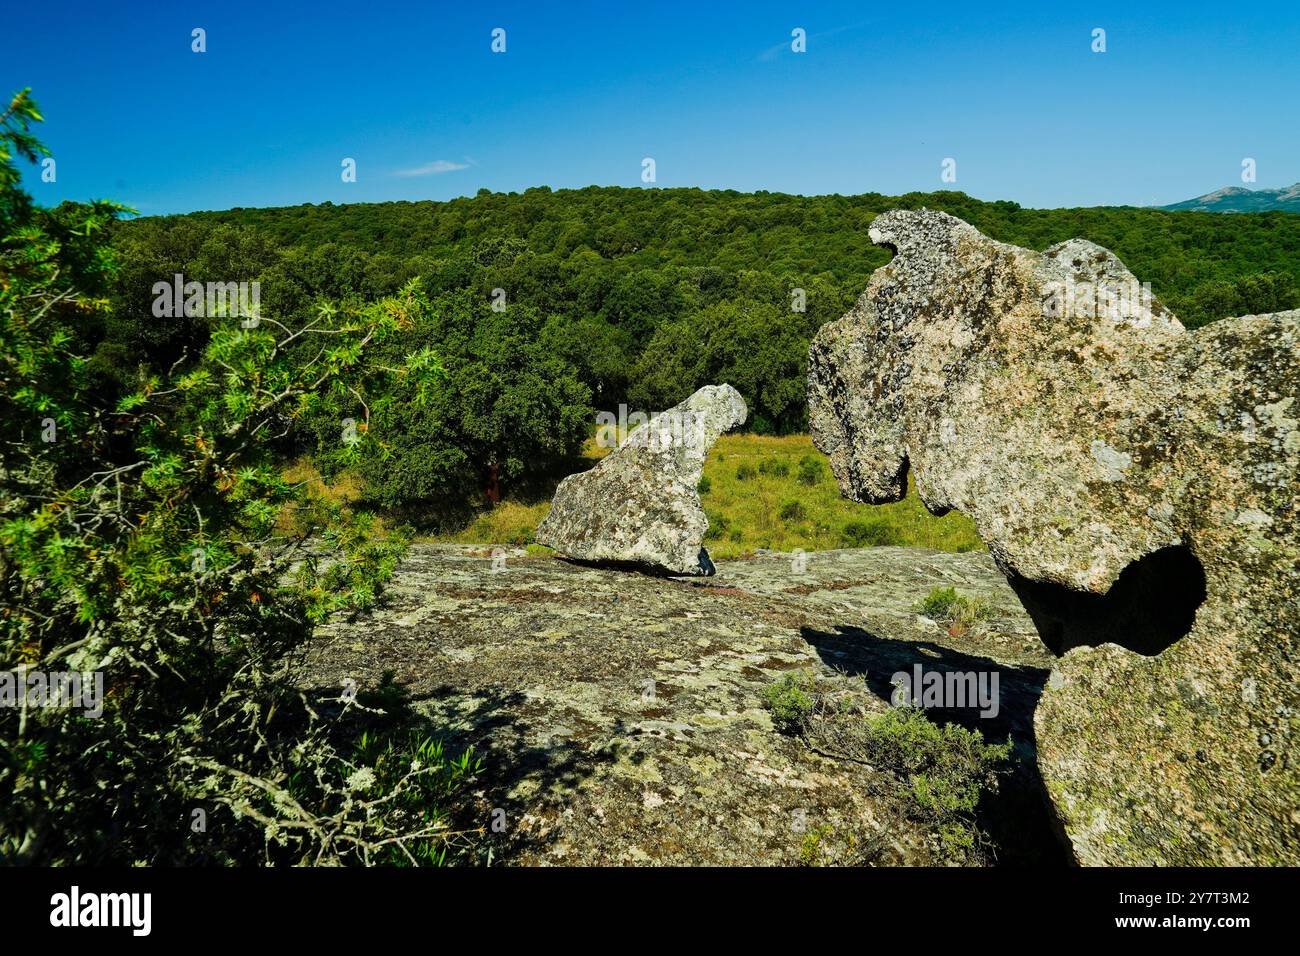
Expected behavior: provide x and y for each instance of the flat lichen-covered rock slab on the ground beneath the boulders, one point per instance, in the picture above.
(621, 717)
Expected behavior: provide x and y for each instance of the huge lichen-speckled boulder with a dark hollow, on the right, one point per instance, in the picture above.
(1121, 469)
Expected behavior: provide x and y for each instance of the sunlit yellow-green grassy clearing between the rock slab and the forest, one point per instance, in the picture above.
(759, 492)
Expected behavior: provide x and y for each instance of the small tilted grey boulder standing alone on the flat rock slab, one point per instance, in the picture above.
(640, 505)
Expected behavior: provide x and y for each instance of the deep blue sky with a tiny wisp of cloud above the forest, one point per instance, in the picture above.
(710, 90)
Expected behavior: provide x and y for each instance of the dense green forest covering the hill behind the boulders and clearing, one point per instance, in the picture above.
(545, 306)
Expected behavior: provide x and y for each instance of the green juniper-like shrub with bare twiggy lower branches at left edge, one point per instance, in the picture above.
(144, 546)
